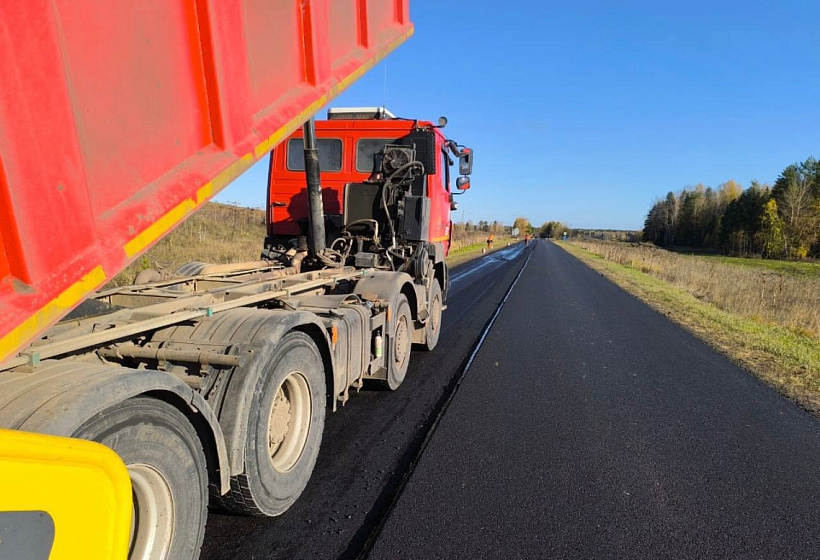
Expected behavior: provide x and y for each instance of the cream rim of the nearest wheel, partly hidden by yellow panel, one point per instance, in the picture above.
(152, 519)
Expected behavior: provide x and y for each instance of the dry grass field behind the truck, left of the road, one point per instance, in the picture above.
(221, 233)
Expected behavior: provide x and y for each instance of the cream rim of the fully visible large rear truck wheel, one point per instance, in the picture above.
(289, 423)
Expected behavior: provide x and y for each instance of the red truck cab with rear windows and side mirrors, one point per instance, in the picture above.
(348, 144)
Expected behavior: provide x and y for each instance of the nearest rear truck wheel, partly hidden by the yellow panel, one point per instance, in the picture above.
(168, 473)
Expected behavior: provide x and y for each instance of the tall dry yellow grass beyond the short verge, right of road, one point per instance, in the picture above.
(755, 293)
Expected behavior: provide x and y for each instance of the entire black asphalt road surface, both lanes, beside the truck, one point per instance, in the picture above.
(559, 418)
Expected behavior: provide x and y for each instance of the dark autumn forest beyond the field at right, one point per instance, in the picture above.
(776, 222)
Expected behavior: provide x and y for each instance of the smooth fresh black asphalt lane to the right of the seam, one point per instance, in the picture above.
(589, 426)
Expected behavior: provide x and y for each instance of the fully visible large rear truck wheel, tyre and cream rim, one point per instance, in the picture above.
(285, 422)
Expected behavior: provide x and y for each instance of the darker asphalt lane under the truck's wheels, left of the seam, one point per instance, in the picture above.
(369, 444)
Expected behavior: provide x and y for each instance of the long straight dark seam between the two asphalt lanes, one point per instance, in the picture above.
(376, 531)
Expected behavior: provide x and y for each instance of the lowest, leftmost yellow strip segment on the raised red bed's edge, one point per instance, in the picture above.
(49, 312)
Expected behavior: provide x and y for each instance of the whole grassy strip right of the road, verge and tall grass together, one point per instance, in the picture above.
(682, 288)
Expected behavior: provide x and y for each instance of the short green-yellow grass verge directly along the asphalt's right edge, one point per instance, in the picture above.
(786, 359)
